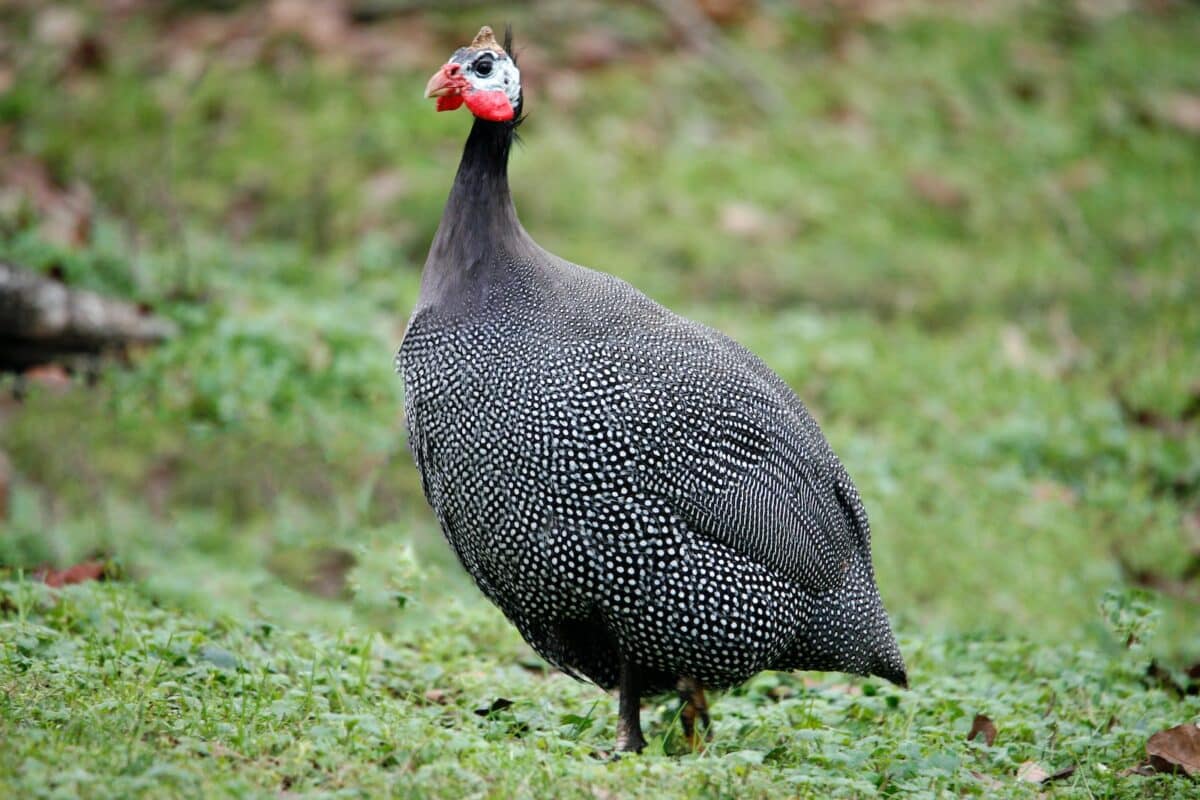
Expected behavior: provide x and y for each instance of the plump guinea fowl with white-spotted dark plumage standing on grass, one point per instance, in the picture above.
(644, 498)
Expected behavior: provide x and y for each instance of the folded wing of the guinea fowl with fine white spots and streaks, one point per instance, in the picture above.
(741, 460)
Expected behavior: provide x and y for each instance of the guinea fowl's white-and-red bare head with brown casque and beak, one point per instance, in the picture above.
(483, 76)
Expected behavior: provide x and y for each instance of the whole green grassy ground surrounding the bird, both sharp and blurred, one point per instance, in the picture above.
(1007, 374)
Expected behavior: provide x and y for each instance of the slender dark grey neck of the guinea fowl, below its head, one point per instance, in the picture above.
(479, 232)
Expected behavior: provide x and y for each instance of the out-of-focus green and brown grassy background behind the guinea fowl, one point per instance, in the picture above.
(967, 234)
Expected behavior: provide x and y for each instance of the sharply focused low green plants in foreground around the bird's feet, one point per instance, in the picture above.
(107, 694)
